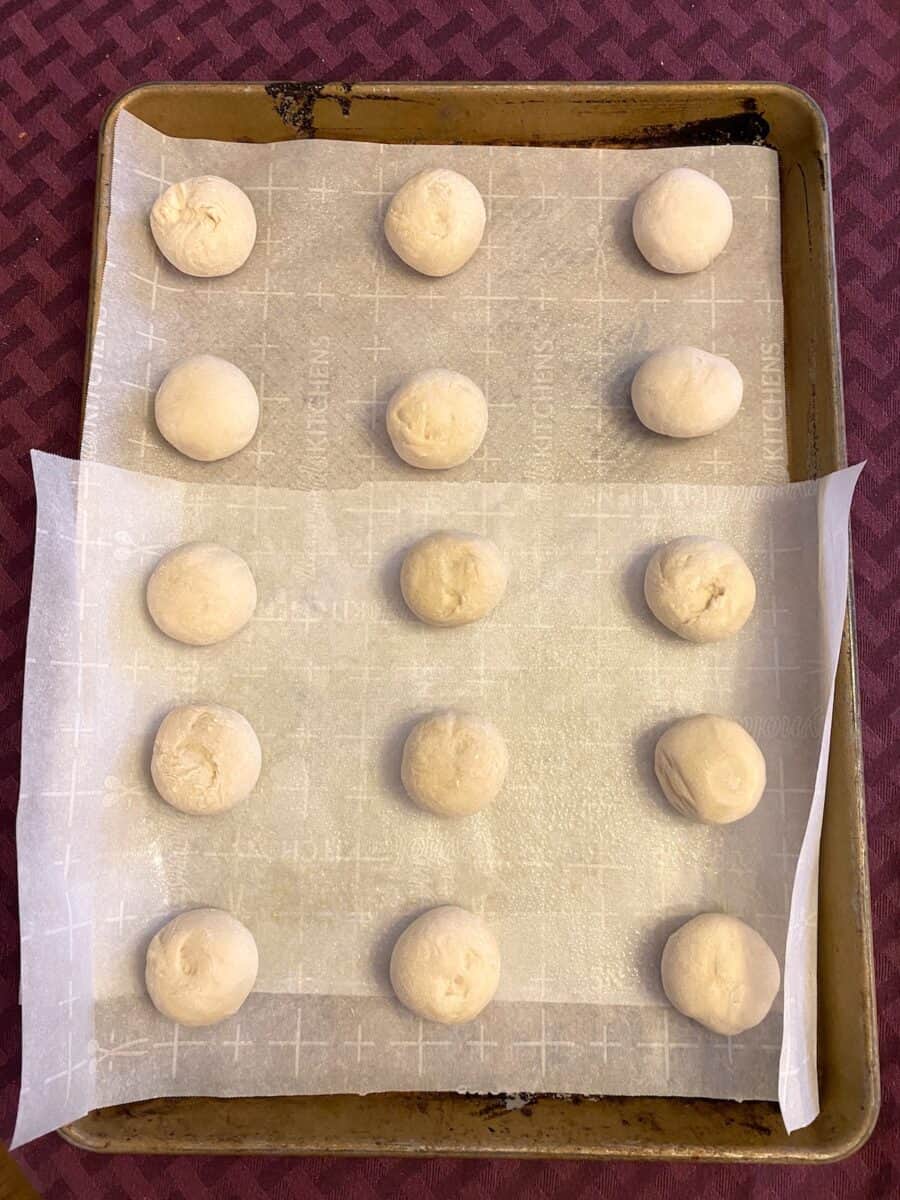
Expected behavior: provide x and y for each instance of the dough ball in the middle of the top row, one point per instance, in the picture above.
(436, 221)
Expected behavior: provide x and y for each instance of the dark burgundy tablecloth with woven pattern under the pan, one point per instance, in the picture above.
(59, 73)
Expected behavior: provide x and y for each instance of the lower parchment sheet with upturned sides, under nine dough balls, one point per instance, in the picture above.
(580, 868)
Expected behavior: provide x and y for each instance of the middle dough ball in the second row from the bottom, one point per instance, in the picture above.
(454, 764)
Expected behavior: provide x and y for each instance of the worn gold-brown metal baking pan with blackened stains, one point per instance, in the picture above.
(551, 1126)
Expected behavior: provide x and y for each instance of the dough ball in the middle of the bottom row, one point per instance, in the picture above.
(446, 967)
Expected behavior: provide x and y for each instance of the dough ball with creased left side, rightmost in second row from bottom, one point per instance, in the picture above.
(711, 769)
